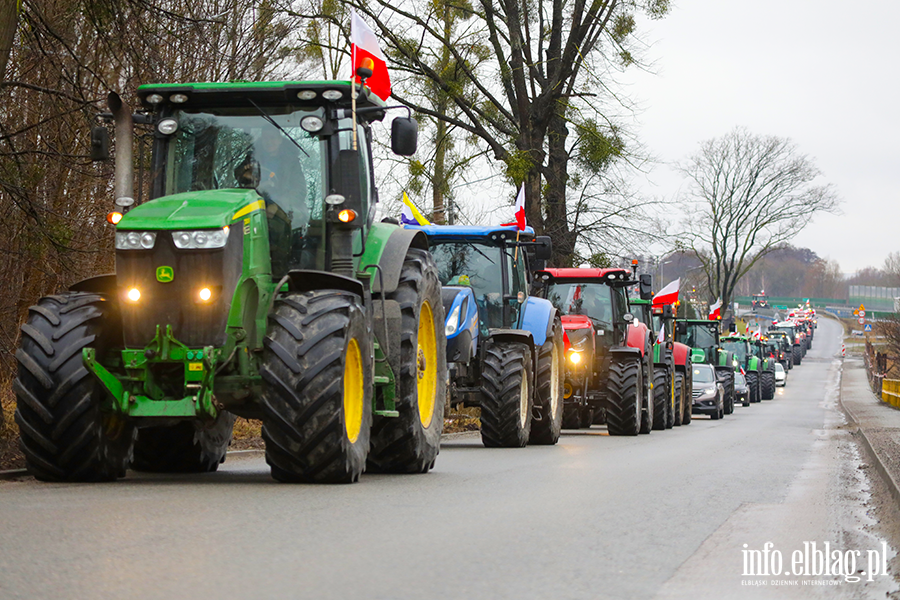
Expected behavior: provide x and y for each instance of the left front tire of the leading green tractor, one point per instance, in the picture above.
(63, 433)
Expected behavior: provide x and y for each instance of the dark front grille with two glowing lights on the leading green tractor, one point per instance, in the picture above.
(195, 324)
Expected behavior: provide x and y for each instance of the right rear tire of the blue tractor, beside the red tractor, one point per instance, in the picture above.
(548, 397)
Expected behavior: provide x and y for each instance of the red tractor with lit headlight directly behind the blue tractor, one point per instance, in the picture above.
(609, 362)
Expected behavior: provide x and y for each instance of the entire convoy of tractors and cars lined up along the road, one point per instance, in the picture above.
(256, 282)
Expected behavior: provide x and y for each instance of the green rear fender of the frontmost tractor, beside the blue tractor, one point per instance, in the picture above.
(387, 246)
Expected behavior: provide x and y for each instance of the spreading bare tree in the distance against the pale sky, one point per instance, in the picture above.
(749, 195)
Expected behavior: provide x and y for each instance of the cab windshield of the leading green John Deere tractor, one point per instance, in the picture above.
(240, 148)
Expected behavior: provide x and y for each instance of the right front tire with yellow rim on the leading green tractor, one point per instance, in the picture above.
(317, 387)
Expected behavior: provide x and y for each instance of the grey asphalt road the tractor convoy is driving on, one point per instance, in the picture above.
(664, 515)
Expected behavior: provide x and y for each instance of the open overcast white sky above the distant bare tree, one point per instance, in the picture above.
(823, 73)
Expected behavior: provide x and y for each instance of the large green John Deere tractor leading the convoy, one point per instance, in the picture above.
(254, 282)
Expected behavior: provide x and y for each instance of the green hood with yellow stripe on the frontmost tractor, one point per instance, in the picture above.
(208, 209)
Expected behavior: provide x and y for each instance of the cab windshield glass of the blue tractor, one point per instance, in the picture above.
(476, 266)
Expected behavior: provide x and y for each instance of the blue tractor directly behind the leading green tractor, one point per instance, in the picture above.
(504, 348)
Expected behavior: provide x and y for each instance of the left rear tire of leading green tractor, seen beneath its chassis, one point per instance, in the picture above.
(186, 447)
